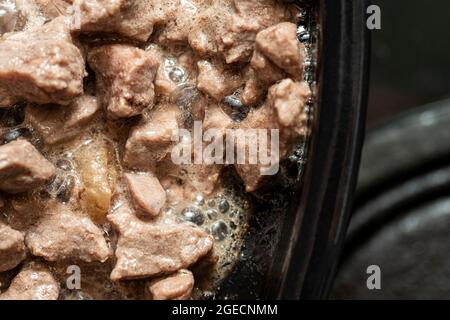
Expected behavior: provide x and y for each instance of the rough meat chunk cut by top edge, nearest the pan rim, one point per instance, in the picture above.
(228, 28)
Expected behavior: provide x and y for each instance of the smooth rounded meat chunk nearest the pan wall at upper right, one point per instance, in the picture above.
(292, 55)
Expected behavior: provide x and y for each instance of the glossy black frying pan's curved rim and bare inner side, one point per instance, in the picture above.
(295, 239)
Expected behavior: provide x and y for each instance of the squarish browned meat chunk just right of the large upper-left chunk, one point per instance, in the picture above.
(125, 77)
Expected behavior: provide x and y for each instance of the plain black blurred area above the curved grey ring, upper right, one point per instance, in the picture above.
(410, 57)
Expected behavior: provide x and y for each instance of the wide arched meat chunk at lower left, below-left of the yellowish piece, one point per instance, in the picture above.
(65, 235)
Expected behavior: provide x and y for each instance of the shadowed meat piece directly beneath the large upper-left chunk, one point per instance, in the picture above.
(56, 124)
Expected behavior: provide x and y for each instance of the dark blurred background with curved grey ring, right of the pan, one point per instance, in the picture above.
(401, 220)
